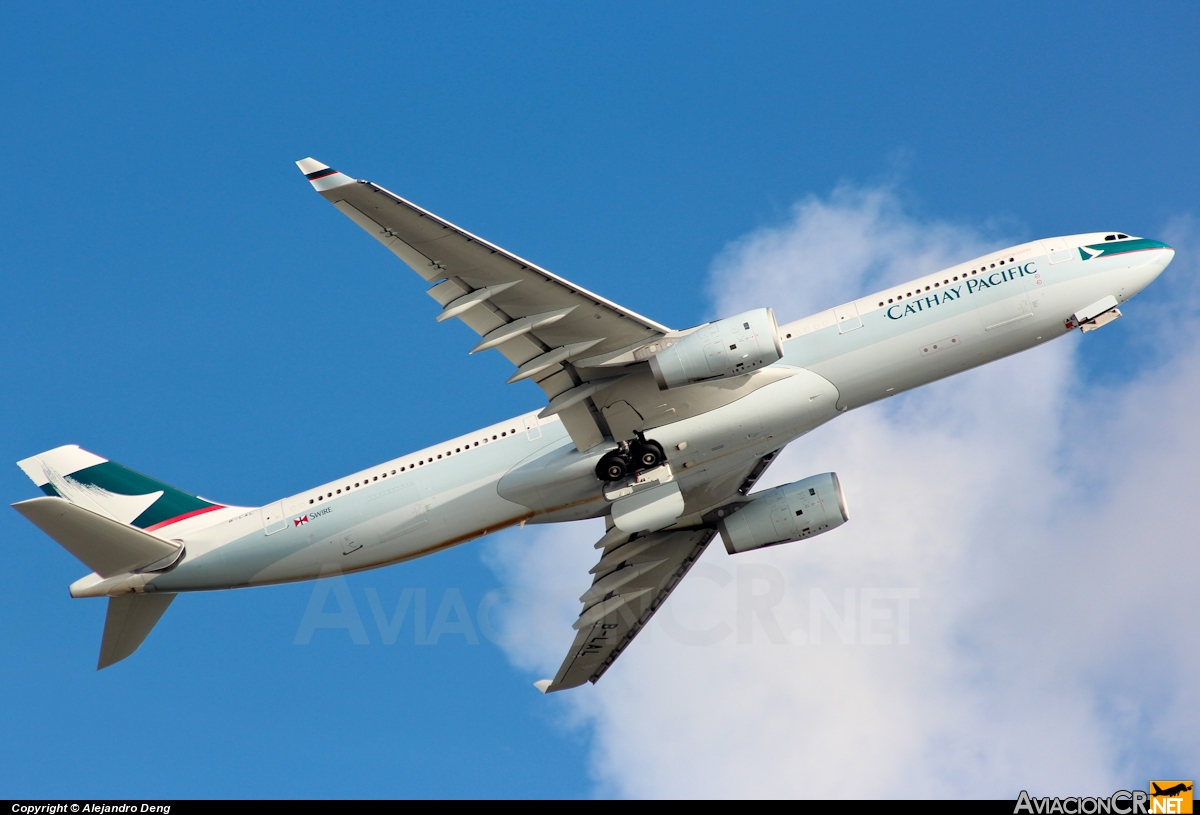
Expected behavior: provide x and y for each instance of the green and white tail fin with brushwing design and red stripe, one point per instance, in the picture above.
(109, 489)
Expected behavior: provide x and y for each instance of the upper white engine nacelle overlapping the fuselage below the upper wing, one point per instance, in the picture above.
(725, 349)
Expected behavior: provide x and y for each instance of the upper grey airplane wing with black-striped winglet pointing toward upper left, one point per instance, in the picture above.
(541, 322)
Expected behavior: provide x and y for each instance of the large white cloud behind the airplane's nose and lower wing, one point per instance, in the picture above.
(1047, 525)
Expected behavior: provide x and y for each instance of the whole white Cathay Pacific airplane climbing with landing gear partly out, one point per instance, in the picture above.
(662, 433)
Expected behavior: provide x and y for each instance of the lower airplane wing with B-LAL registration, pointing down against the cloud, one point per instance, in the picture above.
(637, 574)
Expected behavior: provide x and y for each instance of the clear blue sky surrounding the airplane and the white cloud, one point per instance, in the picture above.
(177, 298)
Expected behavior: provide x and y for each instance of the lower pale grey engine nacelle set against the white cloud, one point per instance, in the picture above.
(794, 512)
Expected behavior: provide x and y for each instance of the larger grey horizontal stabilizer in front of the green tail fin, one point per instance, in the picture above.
(106, 547)
